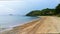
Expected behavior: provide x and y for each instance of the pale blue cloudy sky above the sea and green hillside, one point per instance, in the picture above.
(22, 7)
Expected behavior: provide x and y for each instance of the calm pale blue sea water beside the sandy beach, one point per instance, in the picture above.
(11, 21)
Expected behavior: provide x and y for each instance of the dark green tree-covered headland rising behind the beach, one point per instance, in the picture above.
(45, 12)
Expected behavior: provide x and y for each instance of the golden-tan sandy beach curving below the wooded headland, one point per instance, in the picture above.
(47, 24)
